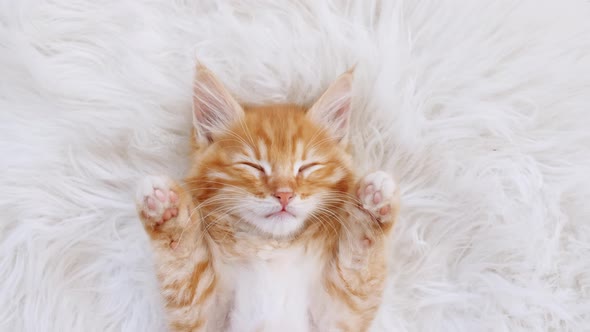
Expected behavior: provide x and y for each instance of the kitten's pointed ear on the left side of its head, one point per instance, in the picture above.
(214, 109)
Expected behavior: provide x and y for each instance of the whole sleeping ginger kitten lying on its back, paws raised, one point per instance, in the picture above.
(271, 230)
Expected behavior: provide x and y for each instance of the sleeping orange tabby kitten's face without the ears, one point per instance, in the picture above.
(275, 169)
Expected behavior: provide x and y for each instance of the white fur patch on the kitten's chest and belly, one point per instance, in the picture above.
(274, 291)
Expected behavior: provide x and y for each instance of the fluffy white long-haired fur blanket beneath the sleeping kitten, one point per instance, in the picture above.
(480, 108)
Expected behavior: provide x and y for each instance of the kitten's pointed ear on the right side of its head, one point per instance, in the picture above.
(332, 110)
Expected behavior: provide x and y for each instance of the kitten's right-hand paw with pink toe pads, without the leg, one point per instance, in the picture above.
(377, 195)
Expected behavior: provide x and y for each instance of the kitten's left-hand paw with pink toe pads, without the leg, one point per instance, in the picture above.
(157, 202)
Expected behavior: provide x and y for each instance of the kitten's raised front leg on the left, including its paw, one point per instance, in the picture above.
(183, 261)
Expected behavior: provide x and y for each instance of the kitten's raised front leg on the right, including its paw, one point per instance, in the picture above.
(356, 278)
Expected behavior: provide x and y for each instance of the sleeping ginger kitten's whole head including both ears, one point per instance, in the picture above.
(272, 167)
